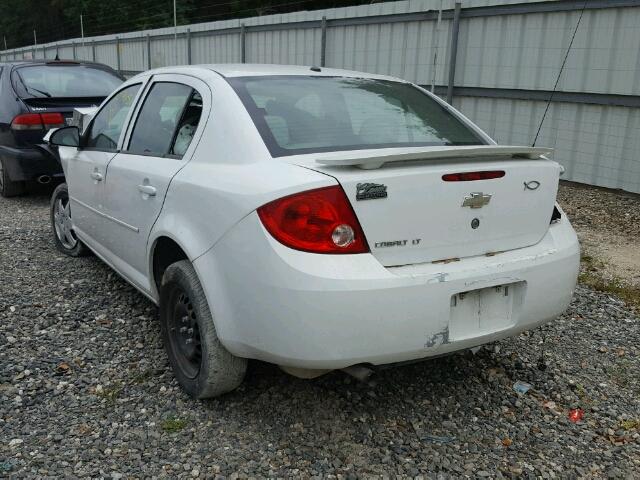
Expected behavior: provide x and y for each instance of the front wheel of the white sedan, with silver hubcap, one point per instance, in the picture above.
(63, 235)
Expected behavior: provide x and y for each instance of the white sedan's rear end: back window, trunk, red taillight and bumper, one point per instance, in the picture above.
(427, 238)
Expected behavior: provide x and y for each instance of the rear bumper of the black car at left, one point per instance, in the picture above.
(29, 163)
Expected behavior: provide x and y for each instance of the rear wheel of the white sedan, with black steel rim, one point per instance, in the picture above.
(201, 364)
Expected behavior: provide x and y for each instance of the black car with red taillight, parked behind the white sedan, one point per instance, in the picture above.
(35, 96)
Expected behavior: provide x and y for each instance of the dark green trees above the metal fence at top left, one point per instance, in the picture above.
(60, 19)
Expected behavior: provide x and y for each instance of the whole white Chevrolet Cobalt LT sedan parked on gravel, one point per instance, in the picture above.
(314, 218)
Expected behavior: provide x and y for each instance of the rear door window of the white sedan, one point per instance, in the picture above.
(167, 121)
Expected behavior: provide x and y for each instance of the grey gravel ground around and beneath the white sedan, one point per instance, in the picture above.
(86, 391)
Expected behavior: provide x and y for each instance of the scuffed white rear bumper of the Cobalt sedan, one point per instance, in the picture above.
(322, 311)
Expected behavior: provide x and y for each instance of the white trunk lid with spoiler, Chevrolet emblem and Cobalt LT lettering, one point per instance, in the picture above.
(424, 218)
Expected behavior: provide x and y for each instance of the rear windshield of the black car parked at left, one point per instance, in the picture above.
(64, 81)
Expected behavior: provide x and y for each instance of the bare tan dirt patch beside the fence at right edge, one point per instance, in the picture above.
(608, 226)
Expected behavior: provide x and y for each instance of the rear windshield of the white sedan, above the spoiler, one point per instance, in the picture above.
(296, 115)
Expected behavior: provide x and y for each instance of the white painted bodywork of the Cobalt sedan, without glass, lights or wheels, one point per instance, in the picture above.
(456, 288)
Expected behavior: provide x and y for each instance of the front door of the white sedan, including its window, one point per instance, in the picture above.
(85, 171)
